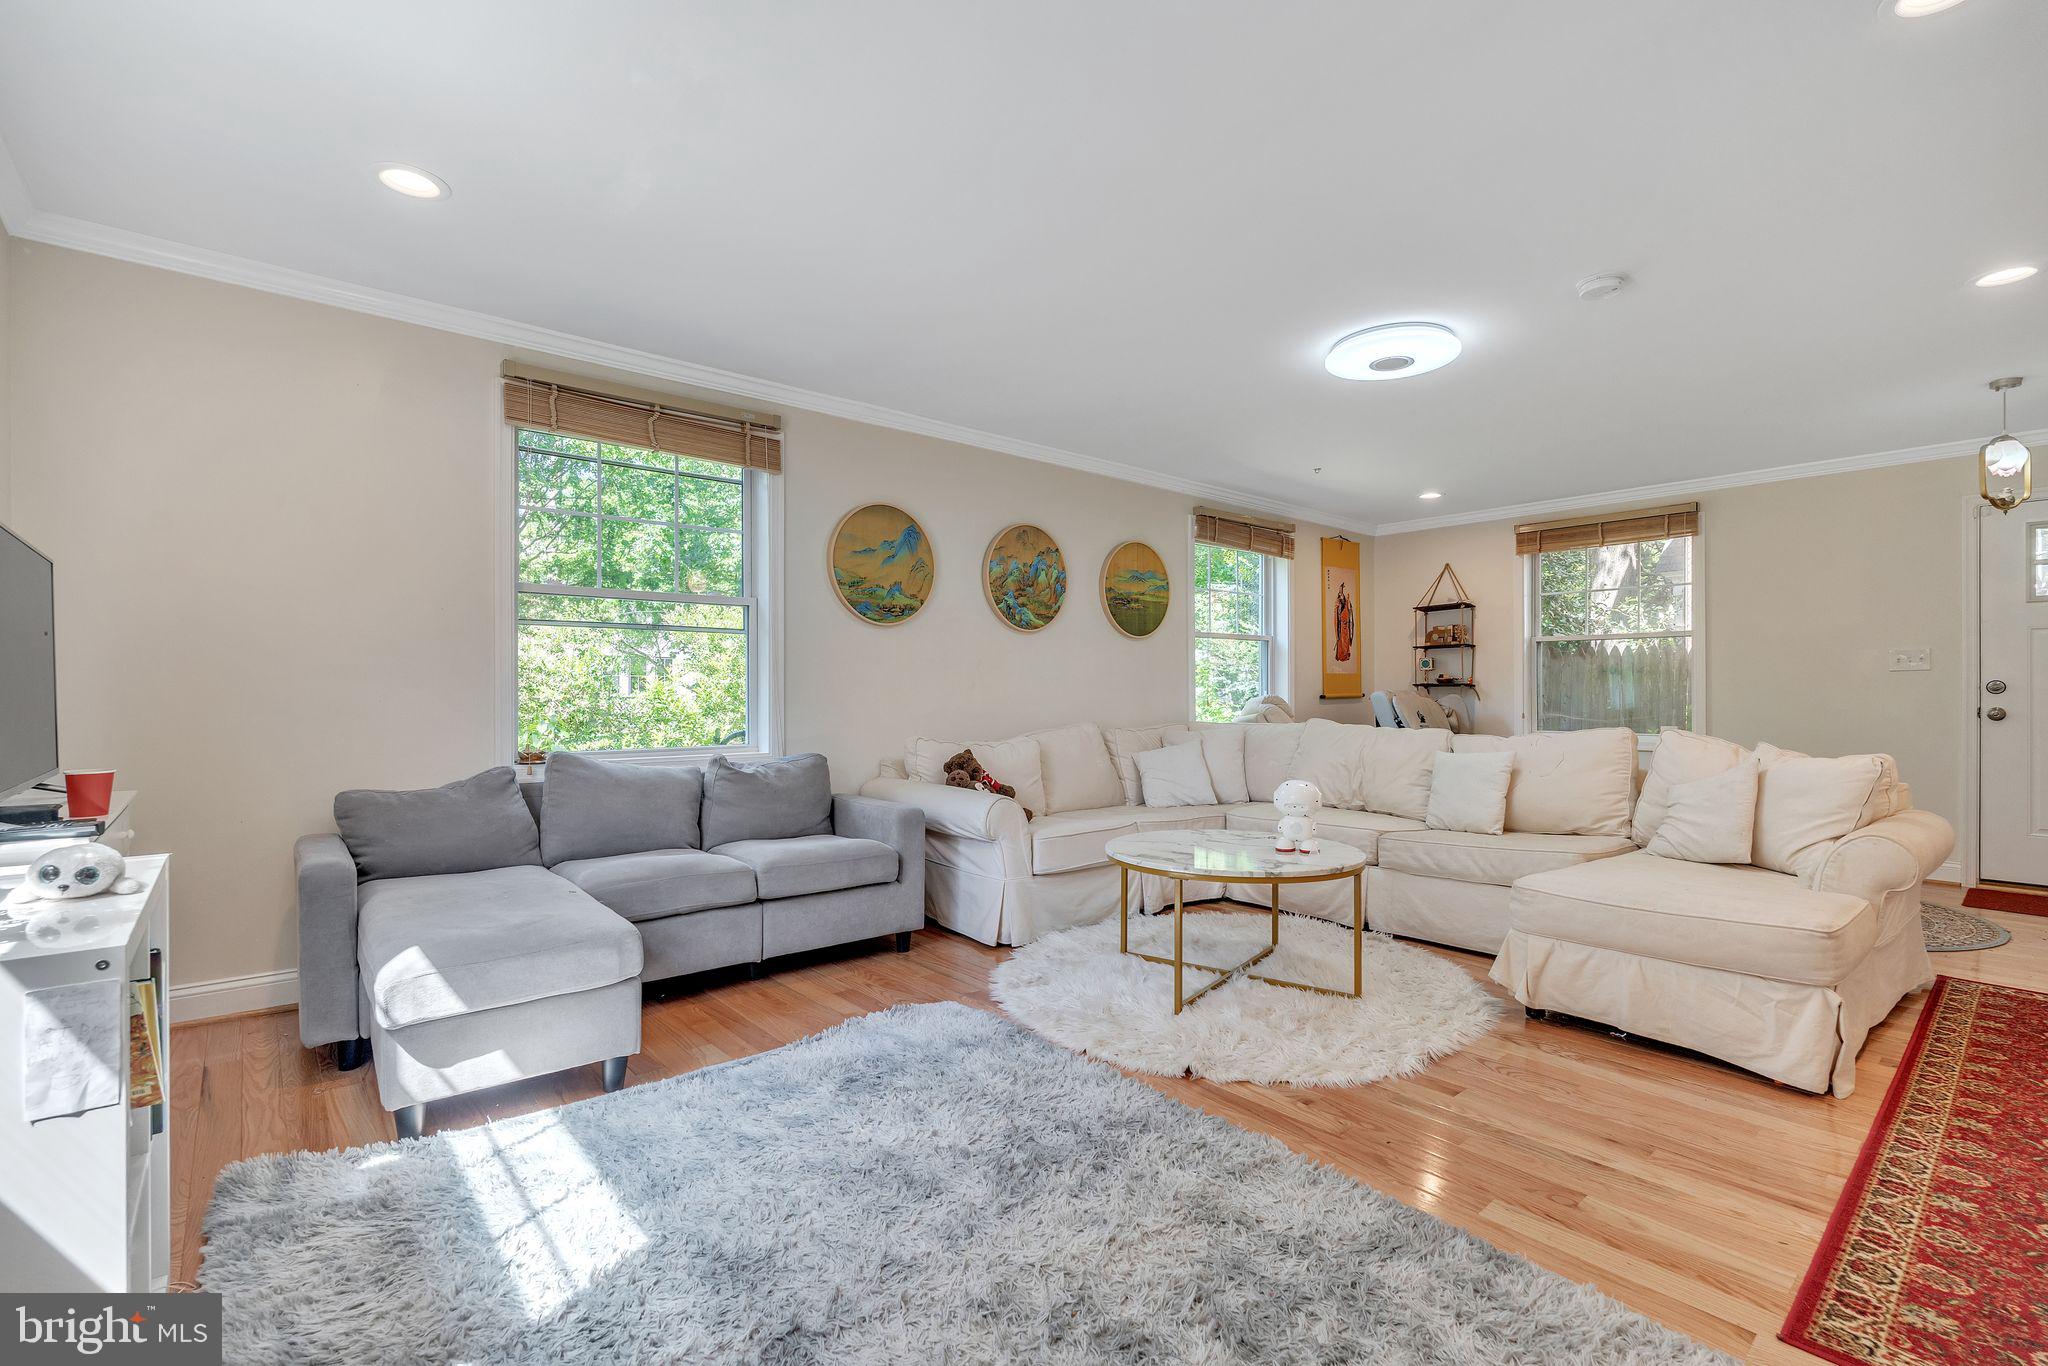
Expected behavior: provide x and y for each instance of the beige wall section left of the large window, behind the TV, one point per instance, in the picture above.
(275, 548)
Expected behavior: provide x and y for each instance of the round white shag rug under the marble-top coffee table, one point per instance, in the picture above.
(1076, 990)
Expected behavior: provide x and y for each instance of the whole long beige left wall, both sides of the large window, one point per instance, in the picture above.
(251, 624)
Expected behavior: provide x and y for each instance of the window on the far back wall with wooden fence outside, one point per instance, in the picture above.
(1613, 636)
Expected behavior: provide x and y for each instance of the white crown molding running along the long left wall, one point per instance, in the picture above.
(144, 251)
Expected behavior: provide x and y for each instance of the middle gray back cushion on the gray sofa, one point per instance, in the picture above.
(597, 808)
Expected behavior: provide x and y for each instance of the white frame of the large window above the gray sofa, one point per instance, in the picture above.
(761, 579)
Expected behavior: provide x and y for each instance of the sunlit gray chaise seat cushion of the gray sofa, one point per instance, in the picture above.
(454, 945)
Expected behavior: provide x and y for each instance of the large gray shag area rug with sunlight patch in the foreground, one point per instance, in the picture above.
(923, 1185)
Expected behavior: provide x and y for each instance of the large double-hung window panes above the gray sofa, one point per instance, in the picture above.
(636, 607)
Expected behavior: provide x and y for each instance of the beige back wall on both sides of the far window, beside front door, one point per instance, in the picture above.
(1807, 589)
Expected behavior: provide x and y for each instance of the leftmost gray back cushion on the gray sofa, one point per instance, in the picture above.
(460, 828)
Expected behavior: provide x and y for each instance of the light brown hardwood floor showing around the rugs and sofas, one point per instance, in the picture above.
(1684, 1189)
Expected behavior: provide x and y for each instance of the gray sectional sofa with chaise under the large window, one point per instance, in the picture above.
(495, 931)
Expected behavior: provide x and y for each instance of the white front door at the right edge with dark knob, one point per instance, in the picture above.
(2012, 699)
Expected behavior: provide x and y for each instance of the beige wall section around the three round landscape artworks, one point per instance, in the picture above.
(955, 671)
